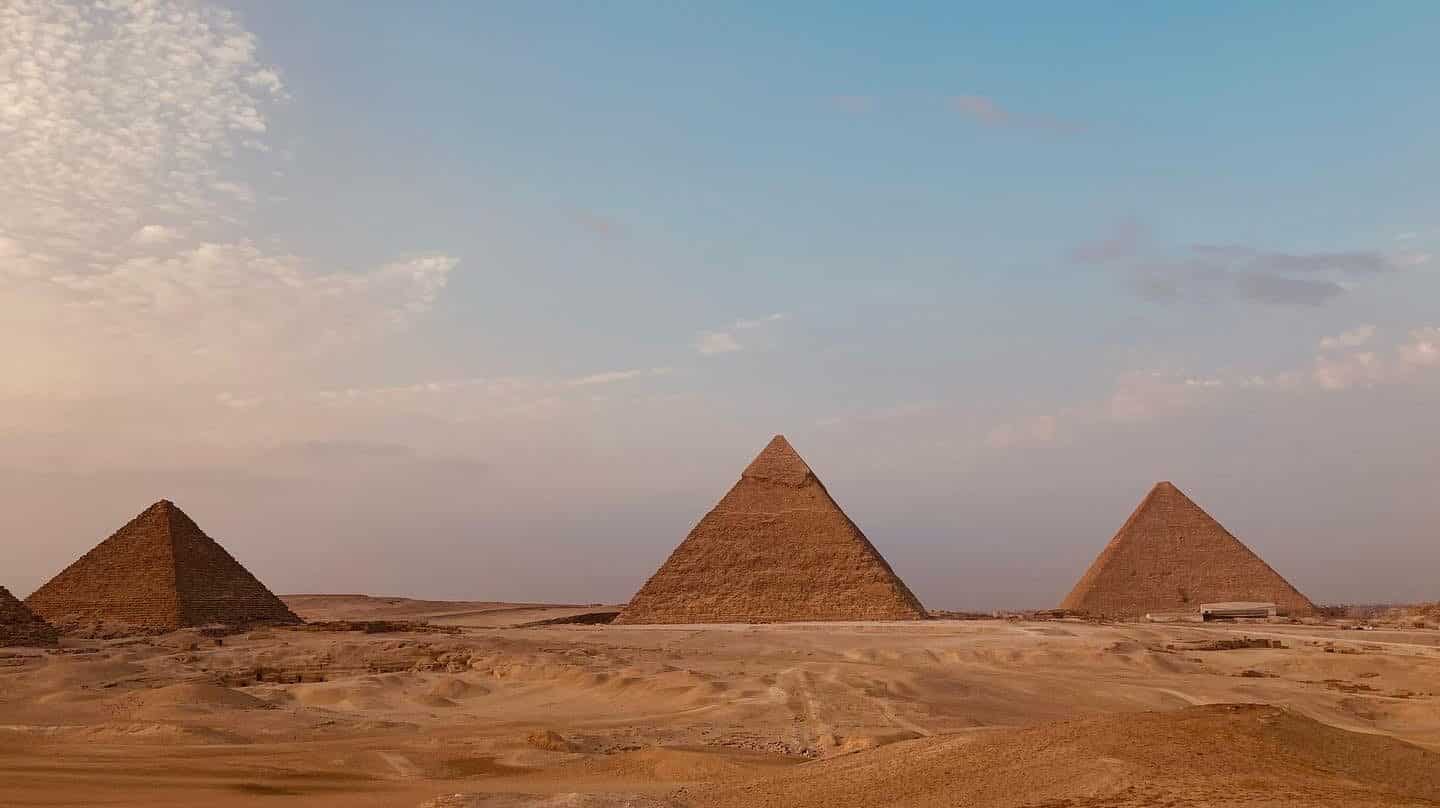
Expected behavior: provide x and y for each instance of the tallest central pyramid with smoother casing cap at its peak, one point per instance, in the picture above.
(775, 549)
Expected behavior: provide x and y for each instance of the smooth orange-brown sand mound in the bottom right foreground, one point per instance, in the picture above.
(1215, 755)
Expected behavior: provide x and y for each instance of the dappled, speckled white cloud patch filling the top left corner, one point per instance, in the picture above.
(120, 110)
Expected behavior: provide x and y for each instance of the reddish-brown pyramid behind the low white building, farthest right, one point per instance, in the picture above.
(1173, 557)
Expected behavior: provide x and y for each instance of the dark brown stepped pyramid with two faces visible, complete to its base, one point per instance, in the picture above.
(159, 574)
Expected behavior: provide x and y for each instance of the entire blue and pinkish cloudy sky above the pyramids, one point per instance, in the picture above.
(495, 300)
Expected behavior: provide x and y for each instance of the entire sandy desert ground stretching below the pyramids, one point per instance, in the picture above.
(487, 712)
